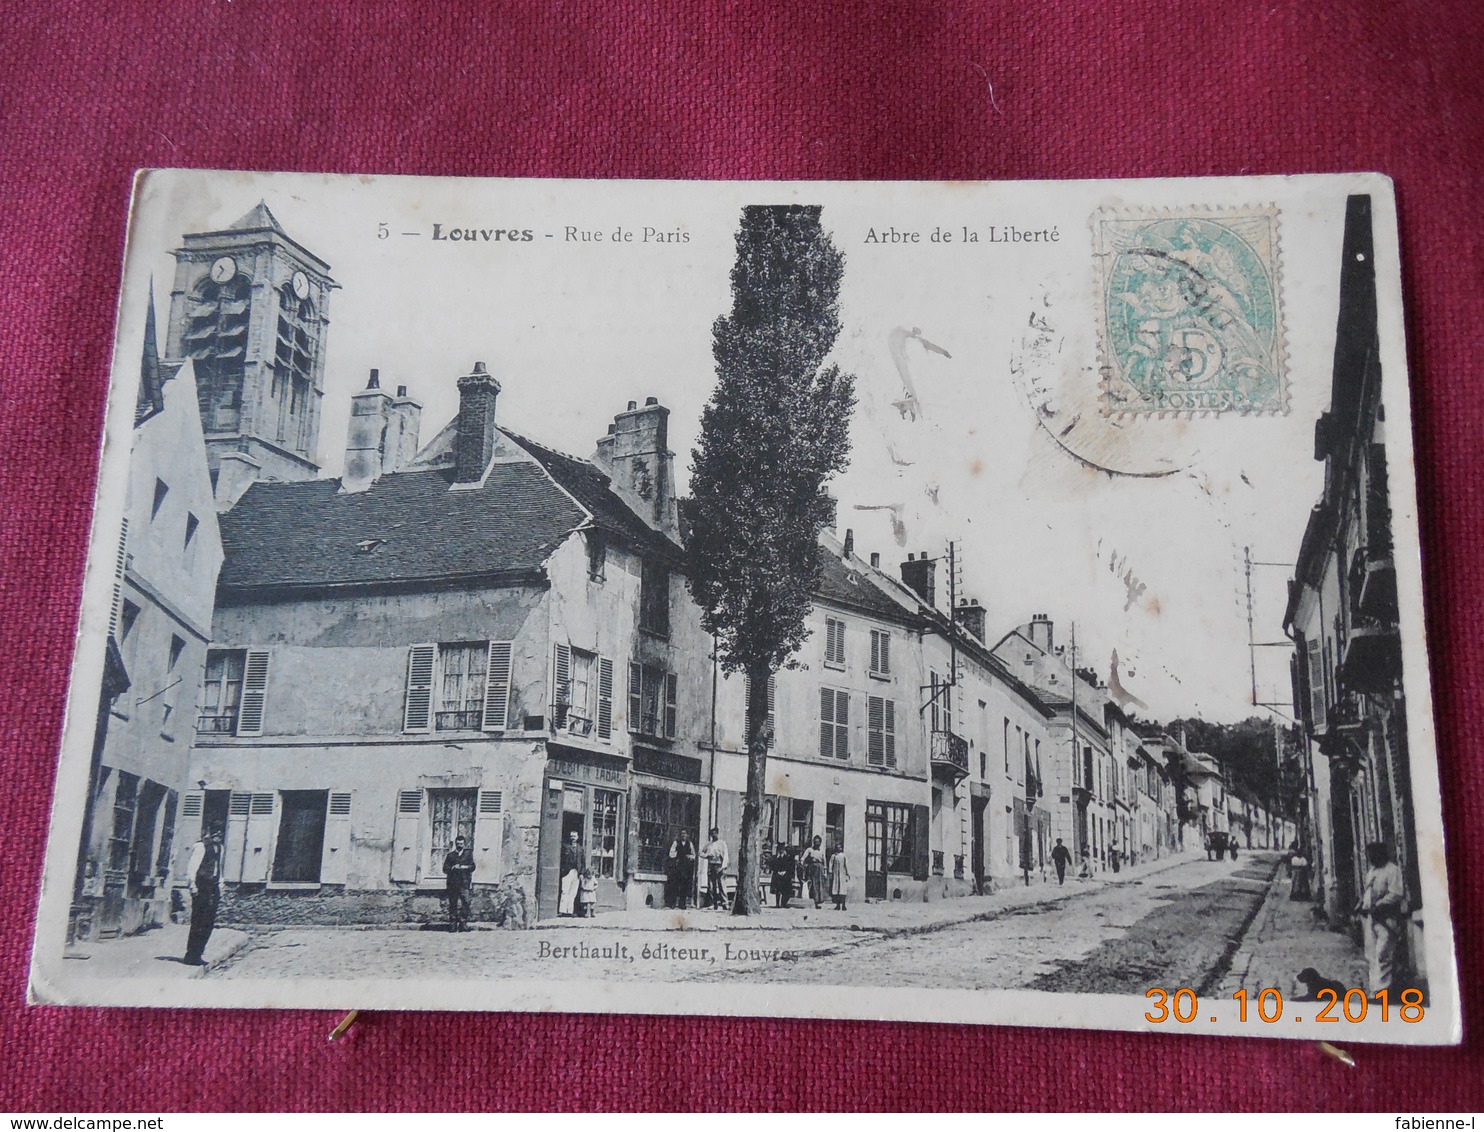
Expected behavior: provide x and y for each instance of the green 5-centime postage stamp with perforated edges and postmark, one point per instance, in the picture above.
(1189, 312)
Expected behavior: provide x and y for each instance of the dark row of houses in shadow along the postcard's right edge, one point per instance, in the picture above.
(1342, 618)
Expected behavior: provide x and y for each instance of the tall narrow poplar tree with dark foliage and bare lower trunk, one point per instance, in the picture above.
(775, 431)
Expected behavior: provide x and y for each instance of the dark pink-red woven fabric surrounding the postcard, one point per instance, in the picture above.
(869, 90)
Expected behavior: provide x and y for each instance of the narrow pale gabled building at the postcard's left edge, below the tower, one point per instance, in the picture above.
(170, 553)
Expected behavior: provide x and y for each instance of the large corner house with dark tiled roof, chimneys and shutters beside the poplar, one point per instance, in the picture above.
(479, 645)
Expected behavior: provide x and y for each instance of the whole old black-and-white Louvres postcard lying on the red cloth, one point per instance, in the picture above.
(967, 603)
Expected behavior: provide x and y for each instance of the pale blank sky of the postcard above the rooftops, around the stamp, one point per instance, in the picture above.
(979, 412)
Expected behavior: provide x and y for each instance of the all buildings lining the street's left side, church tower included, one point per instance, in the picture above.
(485, 637)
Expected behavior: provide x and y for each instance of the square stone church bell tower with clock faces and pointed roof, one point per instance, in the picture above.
(250, 309)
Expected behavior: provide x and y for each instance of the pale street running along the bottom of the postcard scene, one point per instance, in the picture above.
(1179, 922)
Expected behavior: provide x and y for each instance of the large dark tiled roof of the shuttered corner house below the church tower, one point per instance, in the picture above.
(406, 527)
